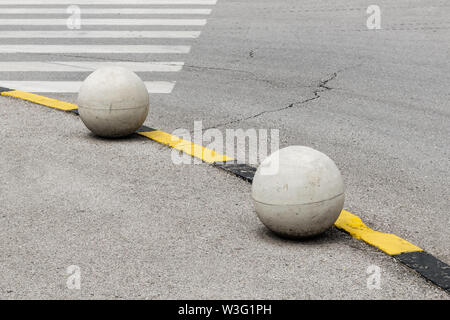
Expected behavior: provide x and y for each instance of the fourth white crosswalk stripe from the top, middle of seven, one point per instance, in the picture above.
(69, 34)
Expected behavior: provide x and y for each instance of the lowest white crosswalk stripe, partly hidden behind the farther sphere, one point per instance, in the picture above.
(74, 86)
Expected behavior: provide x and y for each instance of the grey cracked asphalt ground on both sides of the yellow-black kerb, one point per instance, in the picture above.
(138, 226)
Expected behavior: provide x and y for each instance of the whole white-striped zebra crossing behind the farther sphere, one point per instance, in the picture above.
(42, 54)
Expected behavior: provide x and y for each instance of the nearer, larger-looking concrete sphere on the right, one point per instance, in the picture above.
(303, 198)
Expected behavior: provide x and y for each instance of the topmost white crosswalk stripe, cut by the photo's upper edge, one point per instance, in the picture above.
(107, 2)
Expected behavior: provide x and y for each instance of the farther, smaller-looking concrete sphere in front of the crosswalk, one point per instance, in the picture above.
(113, 102)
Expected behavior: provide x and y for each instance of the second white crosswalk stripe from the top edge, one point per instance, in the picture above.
(85, 10)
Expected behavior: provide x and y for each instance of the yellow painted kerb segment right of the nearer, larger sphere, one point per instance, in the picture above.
(387, 242)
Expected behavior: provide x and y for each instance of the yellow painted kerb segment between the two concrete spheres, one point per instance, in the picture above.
(194, 150)
